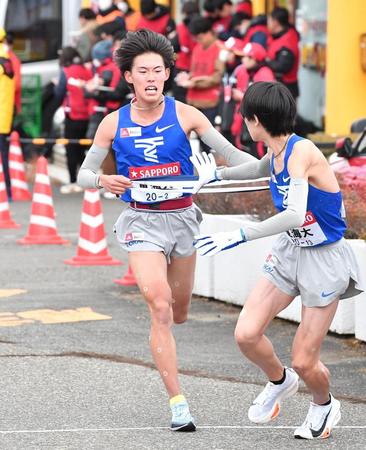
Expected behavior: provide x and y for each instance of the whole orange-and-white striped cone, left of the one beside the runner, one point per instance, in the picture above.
(42, 226)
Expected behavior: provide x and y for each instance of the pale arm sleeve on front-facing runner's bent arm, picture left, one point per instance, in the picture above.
(88, 174)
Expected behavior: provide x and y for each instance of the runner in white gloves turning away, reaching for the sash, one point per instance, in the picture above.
(310, 258)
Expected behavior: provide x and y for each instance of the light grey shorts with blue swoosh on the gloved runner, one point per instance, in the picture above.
(319, 274)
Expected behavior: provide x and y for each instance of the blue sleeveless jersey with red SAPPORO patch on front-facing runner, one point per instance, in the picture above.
(157, 150)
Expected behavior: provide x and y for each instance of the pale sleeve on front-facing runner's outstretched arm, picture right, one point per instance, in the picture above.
(224, 148)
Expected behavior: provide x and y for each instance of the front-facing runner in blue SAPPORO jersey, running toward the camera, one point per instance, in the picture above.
(150, 137)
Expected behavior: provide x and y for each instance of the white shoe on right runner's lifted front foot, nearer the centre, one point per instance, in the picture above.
(267, 405)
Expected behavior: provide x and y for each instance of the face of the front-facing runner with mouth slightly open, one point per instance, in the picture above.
(148, 75)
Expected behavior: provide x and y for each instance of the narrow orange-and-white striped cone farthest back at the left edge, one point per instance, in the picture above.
(19, 186)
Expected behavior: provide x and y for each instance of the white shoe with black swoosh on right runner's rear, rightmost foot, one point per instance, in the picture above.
(320, 420)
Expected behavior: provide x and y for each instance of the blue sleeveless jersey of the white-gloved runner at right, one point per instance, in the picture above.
(324, 221)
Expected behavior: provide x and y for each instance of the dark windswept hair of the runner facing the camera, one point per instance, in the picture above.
(143, 41)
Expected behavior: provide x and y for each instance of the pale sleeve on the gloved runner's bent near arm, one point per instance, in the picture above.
(293, 216)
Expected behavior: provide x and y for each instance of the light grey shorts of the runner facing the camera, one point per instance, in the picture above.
(170, 232)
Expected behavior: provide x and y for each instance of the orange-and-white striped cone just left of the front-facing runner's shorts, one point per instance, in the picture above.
(92, 245)
